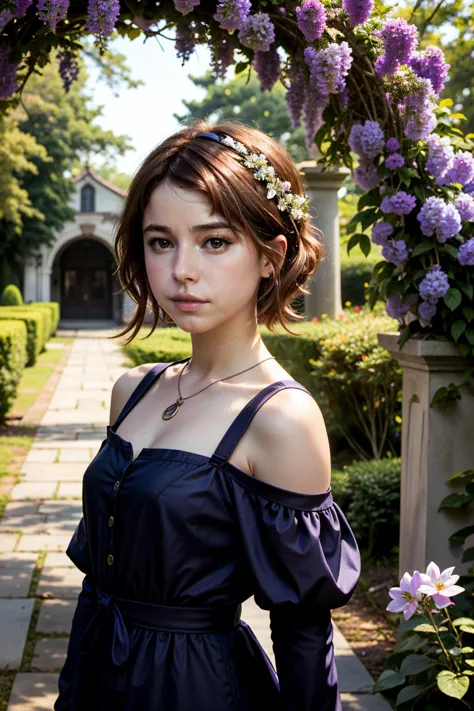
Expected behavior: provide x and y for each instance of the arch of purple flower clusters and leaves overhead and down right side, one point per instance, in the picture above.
(366, 93)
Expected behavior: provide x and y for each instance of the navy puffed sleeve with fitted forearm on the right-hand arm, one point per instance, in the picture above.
(305, 561)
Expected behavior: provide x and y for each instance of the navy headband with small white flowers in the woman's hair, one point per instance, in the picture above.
(296, 205)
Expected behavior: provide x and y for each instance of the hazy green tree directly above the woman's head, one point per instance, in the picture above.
(242, 99)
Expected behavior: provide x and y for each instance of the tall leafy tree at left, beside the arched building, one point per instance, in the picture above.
(64, 125)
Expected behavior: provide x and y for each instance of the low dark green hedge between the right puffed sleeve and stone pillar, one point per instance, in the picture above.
(369, 494)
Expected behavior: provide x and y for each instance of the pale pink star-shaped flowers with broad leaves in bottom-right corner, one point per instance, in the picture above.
(434, 656)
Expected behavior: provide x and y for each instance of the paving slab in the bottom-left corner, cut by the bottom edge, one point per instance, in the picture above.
(34, 692)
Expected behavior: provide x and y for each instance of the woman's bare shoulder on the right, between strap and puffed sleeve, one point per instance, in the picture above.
(289, 445)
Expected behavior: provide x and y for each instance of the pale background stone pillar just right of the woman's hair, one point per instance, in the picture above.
(322, 188)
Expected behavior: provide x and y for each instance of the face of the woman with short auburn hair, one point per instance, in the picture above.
(189, 252)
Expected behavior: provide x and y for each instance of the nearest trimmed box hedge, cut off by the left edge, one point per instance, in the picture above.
(12, 361)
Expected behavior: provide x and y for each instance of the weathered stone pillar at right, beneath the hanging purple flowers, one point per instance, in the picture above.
(436, 444)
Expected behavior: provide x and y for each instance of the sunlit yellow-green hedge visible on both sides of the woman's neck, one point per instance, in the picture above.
(356, 383)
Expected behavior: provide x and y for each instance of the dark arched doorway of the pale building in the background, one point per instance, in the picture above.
(86, 268)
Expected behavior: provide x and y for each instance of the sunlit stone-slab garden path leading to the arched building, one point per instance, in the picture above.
(38, 583)
